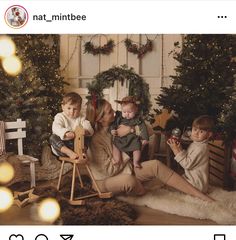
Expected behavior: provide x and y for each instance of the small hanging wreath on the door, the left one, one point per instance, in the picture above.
(105, 49)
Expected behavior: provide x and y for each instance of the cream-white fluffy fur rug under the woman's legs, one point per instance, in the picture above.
(222, 211)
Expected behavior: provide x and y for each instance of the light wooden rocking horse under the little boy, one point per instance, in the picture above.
(78, 148)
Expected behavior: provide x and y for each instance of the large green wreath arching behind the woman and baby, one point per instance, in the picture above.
(137, 85)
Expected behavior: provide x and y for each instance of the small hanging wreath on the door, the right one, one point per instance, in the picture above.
(135, 49)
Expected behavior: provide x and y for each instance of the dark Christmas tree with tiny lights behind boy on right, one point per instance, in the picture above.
(204, 78)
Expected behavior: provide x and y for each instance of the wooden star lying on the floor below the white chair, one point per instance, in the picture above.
(21, 199)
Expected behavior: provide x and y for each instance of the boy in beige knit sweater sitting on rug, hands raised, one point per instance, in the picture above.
(195, 160)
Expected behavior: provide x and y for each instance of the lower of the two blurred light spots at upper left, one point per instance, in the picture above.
(12, 65)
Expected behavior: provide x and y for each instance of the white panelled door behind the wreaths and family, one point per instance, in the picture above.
(79, 68)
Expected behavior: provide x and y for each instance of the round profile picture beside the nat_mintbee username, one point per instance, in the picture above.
(16, 16)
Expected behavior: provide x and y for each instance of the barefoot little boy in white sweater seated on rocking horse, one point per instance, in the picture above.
(65, 123)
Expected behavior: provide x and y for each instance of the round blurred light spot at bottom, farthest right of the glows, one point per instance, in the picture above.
(49, 210)
